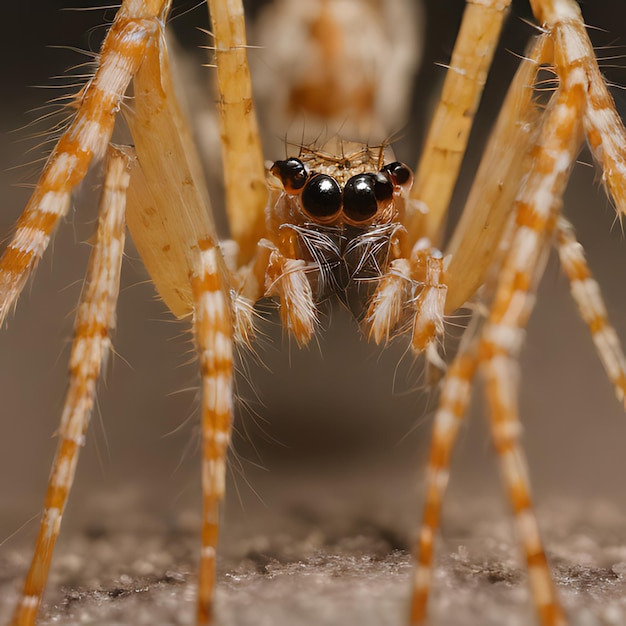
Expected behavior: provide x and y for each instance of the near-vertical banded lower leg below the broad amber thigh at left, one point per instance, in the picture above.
(213, 329)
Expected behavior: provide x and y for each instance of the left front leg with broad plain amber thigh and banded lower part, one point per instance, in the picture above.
(171, 226)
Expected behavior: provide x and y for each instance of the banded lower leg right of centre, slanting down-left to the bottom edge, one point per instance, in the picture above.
(455, 397)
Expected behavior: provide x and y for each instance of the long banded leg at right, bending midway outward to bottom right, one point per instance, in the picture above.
(537, 210)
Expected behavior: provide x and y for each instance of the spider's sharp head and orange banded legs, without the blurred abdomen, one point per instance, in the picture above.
(357, 202)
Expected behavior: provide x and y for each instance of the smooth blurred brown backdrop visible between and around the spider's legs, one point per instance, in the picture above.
(341, 428)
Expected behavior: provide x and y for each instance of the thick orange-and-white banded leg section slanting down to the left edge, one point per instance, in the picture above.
(87, 138)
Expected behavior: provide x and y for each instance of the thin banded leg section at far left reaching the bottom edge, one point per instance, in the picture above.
(94, 322)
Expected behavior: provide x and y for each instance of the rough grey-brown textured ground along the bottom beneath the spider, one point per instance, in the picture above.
(330, 567)
